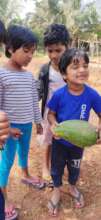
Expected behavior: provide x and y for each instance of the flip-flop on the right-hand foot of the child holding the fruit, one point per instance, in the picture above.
(78, 200)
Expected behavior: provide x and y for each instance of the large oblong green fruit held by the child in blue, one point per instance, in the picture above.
(77, 132)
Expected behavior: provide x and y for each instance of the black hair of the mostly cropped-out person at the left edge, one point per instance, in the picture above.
(2, 32)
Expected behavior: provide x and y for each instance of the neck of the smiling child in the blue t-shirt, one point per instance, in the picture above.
(75, 90)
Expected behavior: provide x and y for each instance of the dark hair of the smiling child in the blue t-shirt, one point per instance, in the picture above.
(72, 55)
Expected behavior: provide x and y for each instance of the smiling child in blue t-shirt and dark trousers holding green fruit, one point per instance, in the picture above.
(73, 101)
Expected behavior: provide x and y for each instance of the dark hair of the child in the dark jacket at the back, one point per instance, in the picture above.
(56, 33)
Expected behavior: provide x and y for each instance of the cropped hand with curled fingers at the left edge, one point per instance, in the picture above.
(4, 128)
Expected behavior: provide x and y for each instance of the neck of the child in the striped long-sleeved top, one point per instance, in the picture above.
(13, 65)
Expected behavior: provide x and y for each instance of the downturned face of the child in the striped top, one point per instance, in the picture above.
(23, 55)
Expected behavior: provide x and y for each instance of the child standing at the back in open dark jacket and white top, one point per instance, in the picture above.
(56, 41)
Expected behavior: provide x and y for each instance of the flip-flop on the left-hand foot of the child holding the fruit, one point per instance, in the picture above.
(53, 207)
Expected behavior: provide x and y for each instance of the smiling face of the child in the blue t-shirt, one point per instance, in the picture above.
(77, 72)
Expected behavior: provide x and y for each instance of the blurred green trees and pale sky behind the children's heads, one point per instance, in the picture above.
(82, 21)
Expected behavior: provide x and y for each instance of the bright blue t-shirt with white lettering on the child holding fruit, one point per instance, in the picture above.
(69, 107)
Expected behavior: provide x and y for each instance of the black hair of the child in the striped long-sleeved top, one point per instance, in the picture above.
(18, 36)
